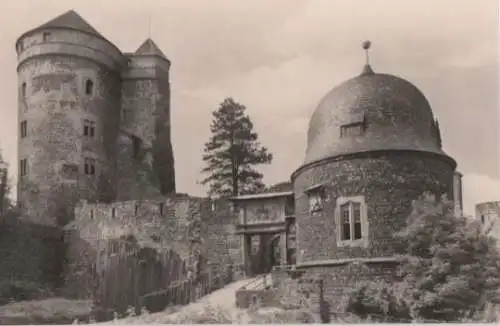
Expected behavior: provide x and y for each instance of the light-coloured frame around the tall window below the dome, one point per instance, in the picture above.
(351, 203)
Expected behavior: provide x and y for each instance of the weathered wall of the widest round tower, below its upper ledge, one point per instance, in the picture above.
(54, 107)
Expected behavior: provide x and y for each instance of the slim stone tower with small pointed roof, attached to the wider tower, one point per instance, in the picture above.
(145, 122)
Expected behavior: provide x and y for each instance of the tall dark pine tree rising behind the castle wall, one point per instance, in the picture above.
(232, 152)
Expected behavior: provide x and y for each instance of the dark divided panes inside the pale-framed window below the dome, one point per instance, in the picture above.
(350, 221)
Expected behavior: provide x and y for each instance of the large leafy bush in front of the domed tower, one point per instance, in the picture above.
(449, 270)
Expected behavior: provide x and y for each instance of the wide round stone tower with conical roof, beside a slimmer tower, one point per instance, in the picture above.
(69, 108)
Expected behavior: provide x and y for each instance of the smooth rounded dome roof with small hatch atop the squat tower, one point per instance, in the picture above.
(369, 112)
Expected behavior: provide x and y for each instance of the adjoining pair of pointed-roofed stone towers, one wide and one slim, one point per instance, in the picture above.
(91, 119)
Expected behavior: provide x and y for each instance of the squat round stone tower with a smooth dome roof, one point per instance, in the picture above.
(373, 147)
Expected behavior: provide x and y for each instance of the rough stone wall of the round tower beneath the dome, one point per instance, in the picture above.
(389, 182)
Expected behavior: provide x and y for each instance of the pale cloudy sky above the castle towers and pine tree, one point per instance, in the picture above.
(280, 57)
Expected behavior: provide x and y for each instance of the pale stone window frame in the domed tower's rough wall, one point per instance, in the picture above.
(364, 240)
